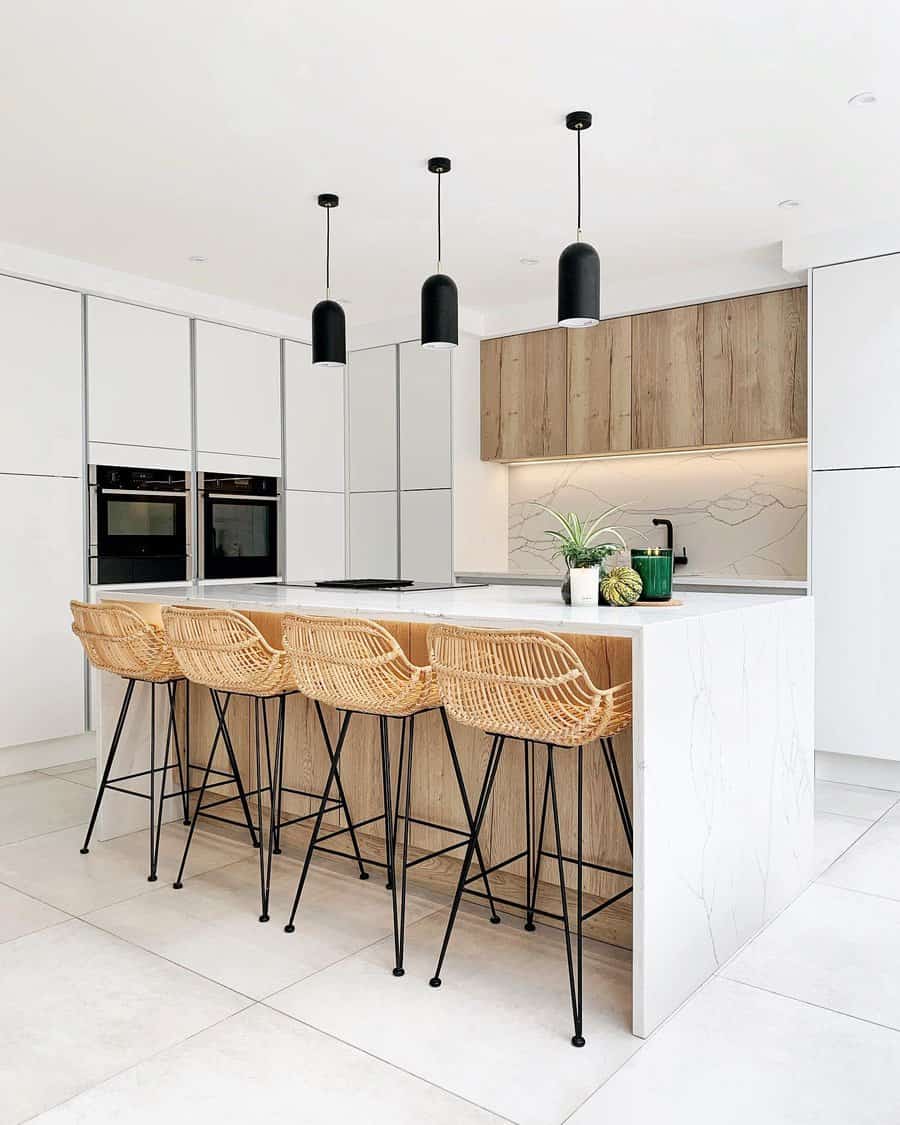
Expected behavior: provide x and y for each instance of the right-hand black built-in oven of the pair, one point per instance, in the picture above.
(239, 526)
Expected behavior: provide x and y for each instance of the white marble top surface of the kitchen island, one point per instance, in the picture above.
(493, 607)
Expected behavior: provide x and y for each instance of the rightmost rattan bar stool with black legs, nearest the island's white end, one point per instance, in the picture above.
(532, 687)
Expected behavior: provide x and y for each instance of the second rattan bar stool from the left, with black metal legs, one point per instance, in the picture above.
(224, 652)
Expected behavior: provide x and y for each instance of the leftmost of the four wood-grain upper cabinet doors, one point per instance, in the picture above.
(524, 397)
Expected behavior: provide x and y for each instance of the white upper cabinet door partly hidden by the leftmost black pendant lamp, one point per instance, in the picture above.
(314, 422)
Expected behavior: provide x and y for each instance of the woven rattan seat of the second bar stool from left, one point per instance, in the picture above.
(226, 651)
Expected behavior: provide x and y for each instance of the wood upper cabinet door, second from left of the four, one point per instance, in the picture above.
(599, 379)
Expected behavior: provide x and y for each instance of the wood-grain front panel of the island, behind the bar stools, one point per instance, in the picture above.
(435, 795)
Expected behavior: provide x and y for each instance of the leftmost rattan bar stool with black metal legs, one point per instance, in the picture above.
(119, 641)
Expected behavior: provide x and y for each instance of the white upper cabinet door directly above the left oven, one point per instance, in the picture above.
(139, 376)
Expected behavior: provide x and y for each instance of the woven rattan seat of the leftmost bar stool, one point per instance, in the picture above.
(118, 640)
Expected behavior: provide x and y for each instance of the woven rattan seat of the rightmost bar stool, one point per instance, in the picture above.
(524, 683)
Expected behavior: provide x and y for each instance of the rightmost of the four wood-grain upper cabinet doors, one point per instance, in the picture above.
(755, 368)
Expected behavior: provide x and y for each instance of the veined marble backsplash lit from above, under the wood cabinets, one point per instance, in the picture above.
(739, 512)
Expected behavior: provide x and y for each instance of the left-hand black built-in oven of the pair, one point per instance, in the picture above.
(140, 526)
